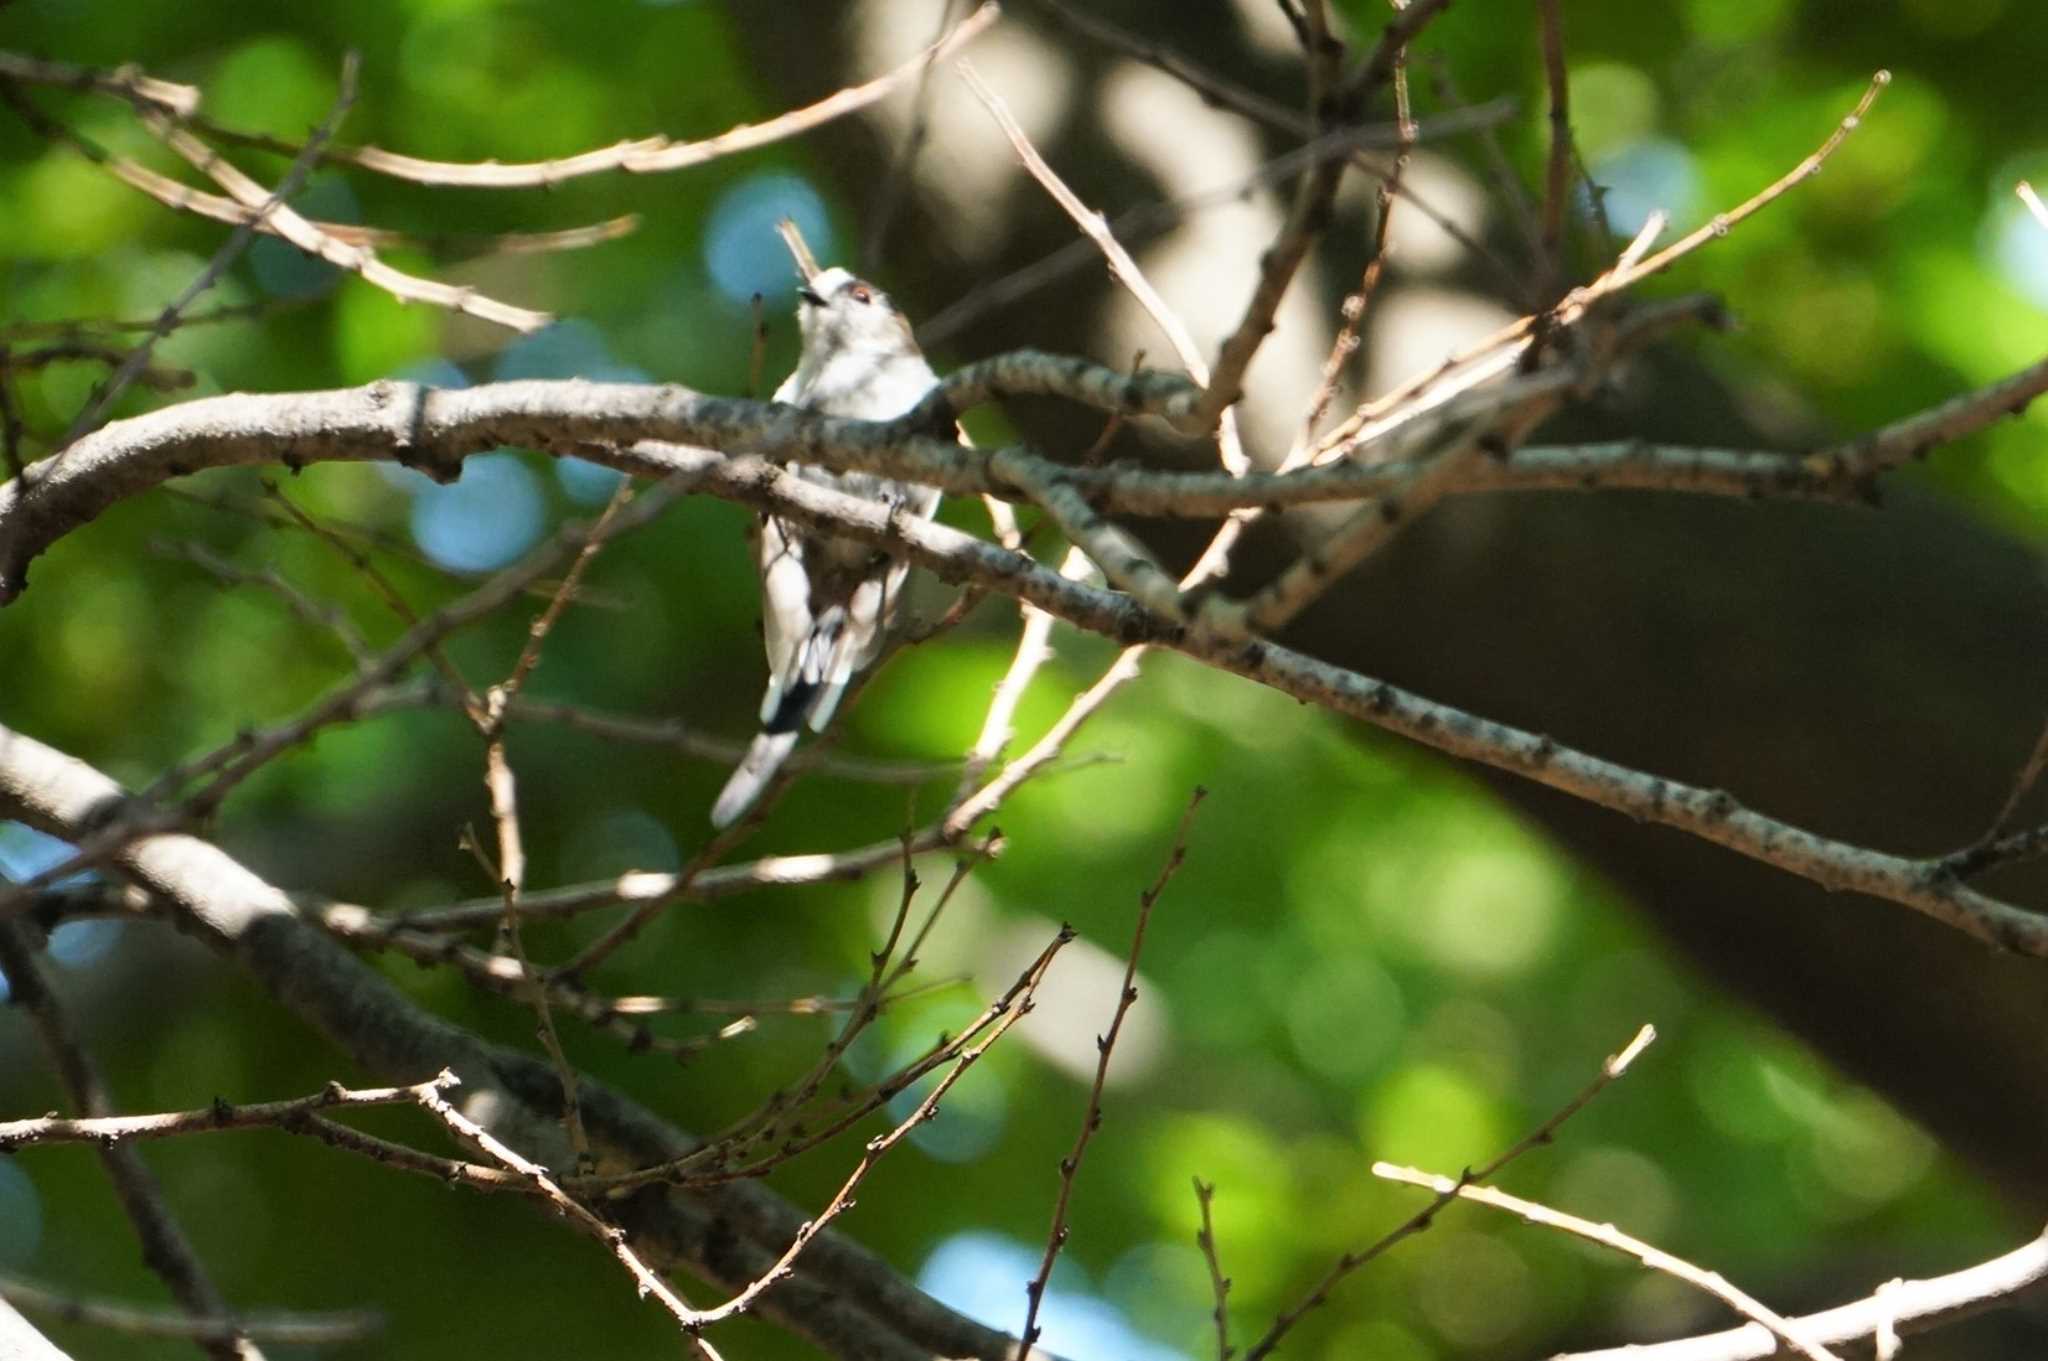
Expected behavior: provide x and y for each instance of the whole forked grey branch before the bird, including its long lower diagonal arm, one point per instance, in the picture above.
(435, 429)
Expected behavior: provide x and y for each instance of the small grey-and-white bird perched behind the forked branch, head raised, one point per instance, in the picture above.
(826, 603)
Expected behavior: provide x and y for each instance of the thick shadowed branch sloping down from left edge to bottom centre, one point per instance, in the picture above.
(841, 1297)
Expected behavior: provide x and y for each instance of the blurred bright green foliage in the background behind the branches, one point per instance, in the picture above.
(1363, 959)
